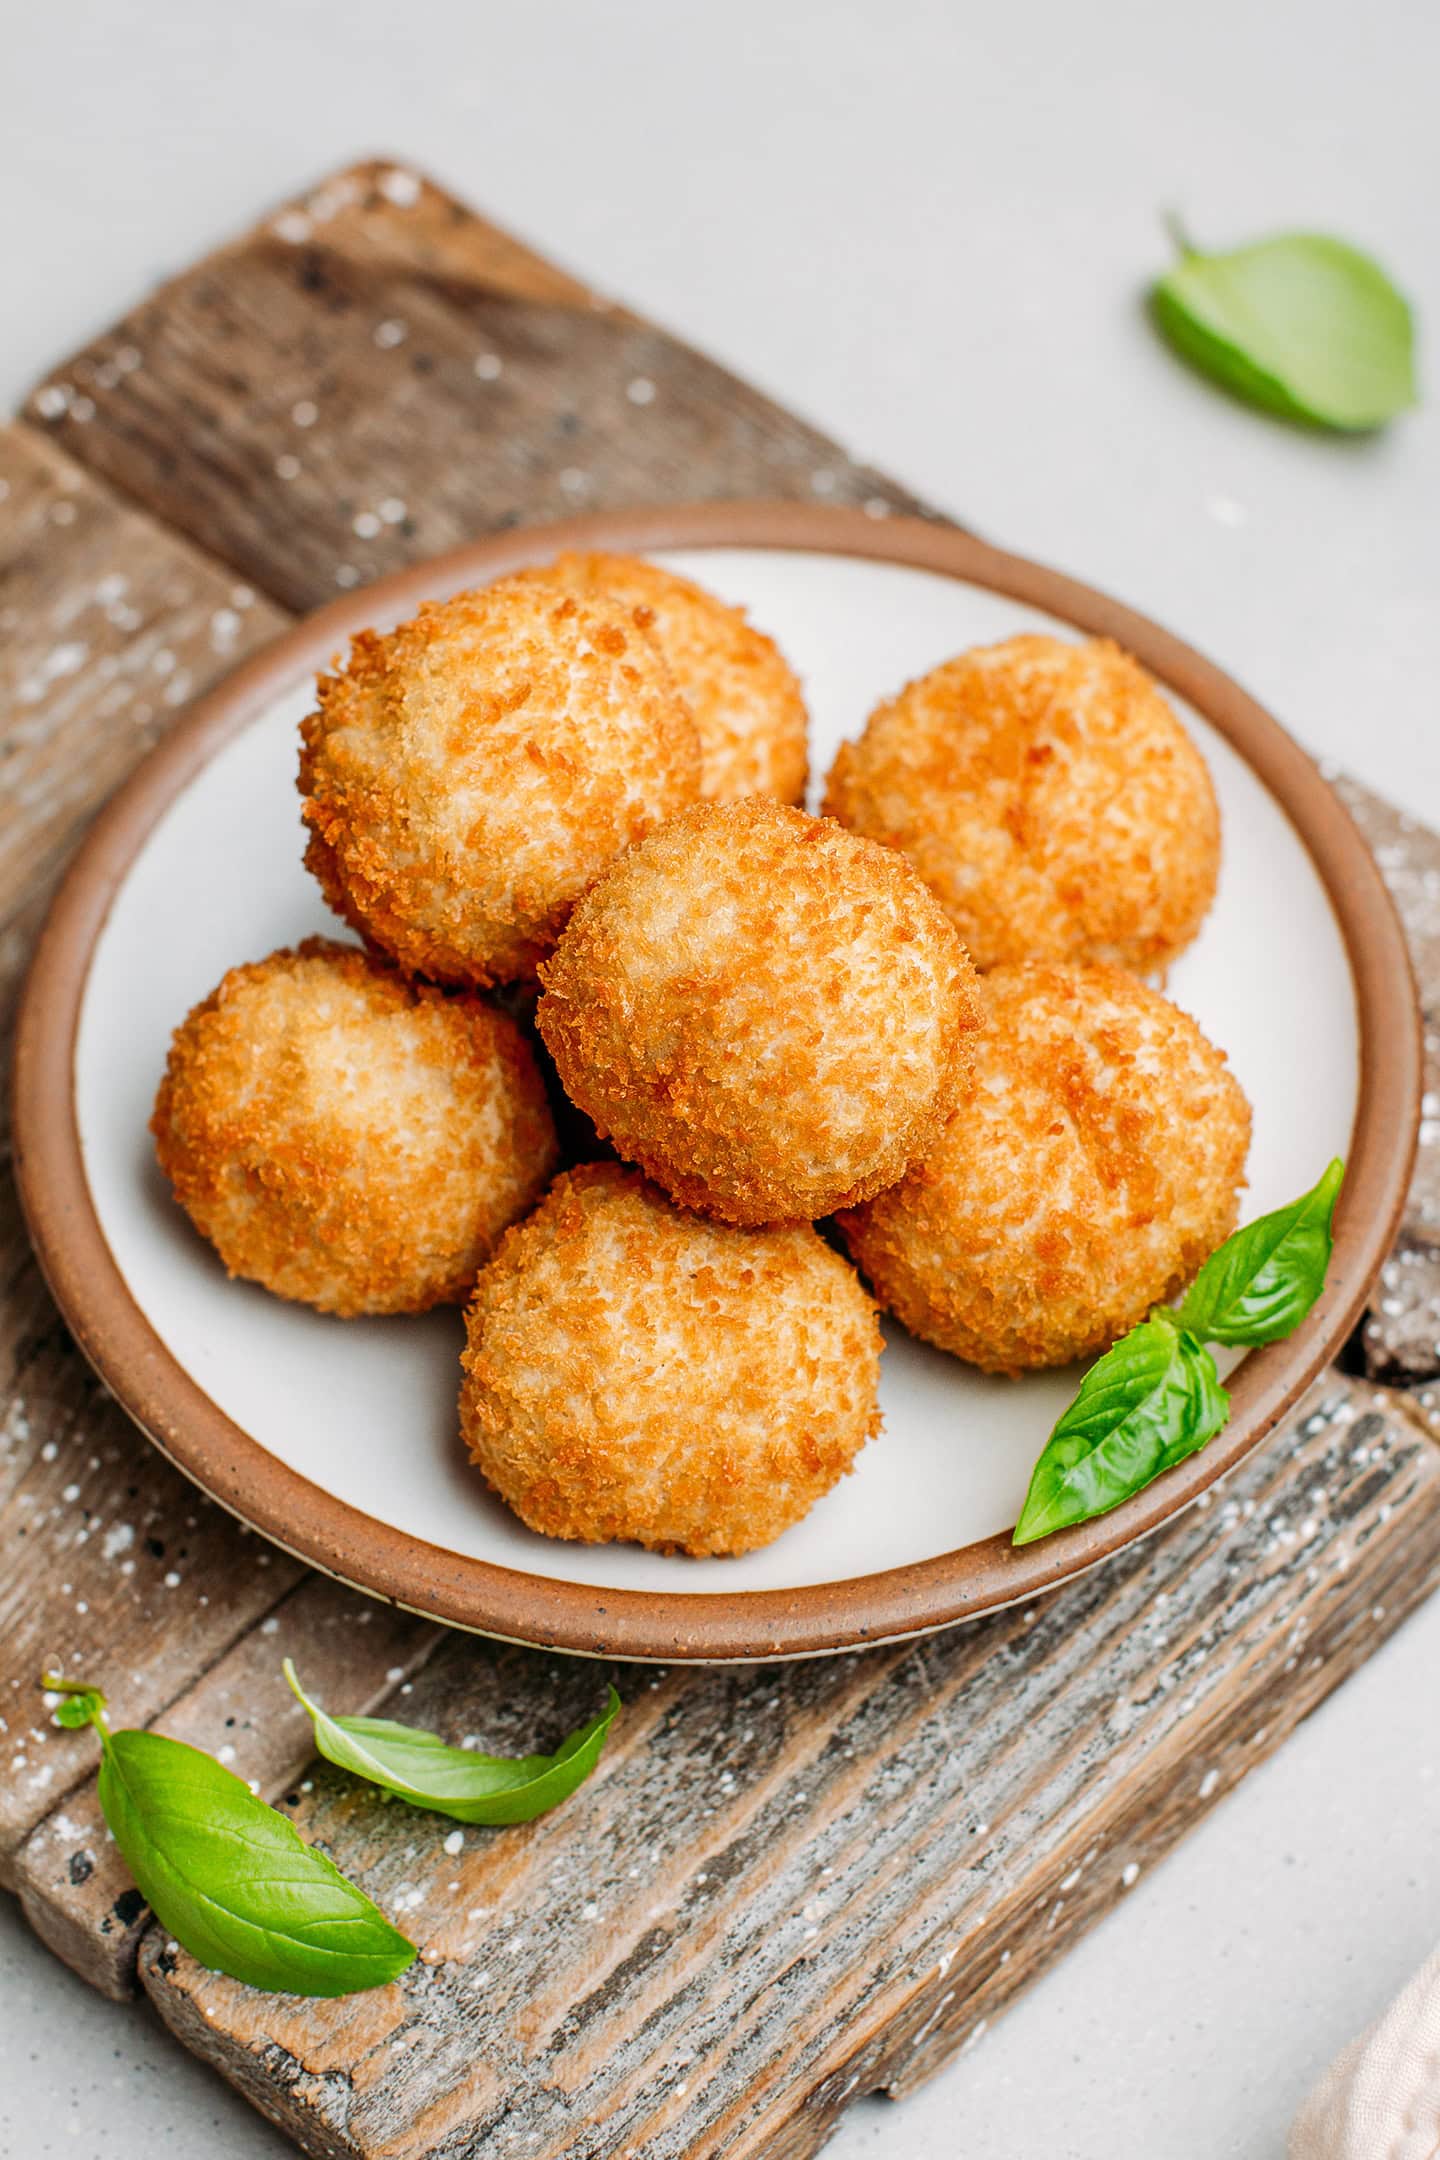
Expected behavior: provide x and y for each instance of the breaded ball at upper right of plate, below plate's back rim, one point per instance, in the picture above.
(1050, 800)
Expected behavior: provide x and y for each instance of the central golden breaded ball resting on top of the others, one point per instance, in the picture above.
(761, 1010)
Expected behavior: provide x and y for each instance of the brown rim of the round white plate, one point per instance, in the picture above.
(720, 1628)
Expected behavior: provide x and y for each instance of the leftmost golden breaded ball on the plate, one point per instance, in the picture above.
(347, 1137)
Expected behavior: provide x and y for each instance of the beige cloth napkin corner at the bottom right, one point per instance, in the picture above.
(1381, 2101)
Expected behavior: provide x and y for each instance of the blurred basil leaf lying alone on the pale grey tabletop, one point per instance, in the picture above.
(1301, 325)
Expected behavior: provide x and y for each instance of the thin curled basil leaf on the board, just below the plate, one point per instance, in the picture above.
(454, 1781)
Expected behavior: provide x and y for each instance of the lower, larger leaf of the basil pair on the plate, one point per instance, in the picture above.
(1141, 1409)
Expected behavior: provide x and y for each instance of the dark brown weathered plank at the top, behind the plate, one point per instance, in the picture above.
(377, 375)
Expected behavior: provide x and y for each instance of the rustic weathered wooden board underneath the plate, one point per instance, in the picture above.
(785, 1887)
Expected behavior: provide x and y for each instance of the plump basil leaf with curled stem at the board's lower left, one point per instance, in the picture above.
(230, 1878)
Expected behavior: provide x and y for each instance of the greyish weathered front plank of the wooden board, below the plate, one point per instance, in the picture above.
(796, 1885)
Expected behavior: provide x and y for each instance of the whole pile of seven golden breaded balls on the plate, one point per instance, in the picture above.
(565, 818)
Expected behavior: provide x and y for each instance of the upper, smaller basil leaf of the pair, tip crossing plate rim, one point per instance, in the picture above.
(1268, 1275)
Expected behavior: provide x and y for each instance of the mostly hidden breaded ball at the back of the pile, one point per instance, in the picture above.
(735, 679)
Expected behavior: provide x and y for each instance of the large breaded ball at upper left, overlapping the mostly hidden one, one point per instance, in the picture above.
(467, 777)
